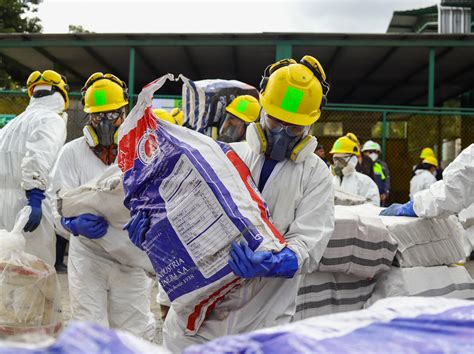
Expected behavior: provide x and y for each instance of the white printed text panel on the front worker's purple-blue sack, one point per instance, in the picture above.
(197, 217)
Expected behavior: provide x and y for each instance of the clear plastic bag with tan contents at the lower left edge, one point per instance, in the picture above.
(30, 298)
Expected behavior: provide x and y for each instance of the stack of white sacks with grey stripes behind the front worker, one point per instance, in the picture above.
(370, 257)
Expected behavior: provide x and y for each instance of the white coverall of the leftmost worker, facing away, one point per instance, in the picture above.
(29, 145)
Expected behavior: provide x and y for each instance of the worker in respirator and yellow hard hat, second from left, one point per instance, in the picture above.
(102, 288)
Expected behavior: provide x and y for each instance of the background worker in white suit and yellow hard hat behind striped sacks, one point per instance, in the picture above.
(345, 152)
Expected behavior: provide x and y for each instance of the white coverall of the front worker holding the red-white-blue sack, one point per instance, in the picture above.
(300, 198)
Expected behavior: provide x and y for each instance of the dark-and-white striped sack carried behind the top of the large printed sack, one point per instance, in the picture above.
(204, 101)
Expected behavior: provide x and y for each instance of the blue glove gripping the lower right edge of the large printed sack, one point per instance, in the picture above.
(249, 264)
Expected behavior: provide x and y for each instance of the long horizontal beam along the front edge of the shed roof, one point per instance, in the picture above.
(434, 43)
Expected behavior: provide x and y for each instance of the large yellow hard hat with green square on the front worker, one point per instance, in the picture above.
(294, 93)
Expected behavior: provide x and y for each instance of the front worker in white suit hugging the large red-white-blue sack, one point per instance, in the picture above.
(297, 187)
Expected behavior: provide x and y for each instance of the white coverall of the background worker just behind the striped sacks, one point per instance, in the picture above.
(358, 184)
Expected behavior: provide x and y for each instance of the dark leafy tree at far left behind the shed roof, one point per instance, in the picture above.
(16, 17)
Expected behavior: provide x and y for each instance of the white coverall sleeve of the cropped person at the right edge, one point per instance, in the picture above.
(453, 194)
